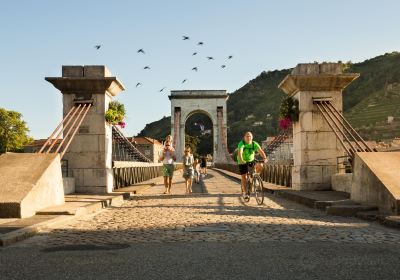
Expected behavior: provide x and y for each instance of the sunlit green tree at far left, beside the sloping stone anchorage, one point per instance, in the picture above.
(13, 131)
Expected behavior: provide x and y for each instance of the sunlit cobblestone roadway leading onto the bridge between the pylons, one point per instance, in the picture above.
(213, 213)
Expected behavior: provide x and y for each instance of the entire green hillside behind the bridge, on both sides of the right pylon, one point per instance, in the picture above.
(367, 103)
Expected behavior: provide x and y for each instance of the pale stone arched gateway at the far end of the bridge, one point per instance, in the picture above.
(185, 103)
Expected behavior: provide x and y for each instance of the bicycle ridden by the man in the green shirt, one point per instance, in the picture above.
(254, 183)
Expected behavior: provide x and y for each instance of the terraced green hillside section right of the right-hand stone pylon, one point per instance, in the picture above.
(374, 96)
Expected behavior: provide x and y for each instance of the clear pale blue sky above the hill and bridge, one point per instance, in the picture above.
(38, 37)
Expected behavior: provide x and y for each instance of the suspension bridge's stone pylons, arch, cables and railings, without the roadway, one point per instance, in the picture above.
(101, 159)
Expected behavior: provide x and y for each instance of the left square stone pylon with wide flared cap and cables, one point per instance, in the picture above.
(89, 155)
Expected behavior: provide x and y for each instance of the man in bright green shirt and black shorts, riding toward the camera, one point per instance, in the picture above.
(245, 158)
